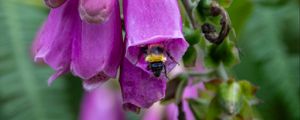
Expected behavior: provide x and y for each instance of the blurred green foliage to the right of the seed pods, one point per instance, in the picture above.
(269, 45)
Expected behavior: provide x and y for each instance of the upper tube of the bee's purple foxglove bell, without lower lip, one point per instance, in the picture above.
(154, 21)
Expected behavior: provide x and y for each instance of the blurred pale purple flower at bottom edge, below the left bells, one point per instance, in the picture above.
(101, 103)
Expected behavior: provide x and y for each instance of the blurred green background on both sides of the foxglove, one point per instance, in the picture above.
(267, 33)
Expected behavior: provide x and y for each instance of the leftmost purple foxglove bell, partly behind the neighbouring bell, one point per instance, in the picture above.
(54, 40)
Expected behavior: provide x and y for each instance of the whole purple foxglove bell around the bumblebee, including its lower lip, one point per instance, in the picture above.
(149, 22)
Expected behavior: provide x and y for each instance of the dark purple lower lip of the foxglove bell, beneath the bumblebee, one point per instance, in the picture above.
(140, 88)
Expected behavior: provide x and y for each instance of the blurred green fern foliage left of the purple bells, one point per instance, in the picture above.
(24, 94)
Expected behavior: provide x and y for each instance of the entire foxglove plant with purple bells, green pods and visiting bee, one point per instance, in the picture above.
(84, 37)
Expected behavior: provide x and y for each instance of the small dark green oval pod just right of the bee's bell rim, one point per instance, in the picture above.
(190, 56)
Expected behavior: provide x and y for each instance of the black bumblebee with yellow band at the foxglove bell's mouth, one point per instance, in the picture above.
(155, 57)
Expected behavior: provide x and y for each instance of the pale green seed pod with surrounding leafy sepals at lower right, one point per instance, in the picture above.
(225, 99)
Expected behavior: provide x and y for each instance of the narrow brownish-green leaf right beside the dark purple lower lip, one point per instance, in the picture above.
(175, 89)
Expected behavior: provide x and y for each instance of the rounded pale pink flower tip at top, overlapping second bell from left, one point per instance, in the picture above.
(96, 11)
